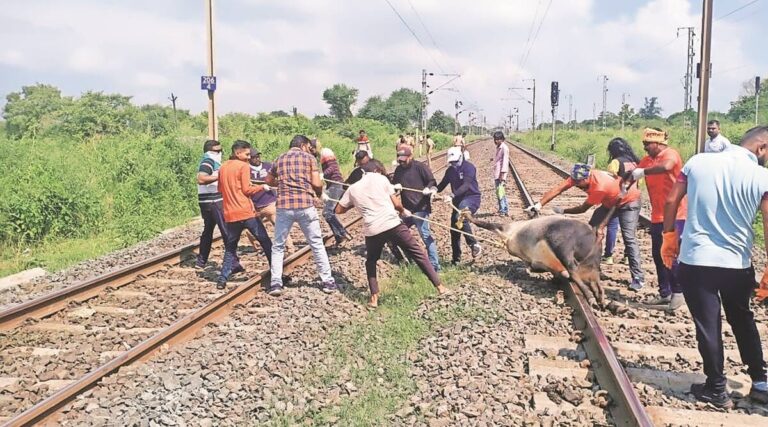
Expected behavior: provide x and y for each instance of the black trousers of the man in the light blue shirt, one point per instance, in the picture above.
(704, 289)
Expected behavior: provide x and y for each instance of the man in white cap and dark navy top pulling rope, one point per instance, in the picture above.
(461, 175)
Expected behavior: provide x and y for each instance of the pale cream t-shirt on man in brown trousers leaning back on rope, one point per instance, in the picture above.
(371, 196)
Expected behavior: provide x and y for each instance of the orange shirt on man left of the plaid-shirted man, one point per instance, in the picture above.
(235, 188)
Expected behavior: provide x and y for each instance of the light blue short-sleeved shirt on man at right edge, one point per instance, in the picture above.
(724, 193)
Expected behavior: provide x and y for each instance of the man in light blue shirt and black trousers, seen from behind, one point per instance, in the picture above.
(724, 191)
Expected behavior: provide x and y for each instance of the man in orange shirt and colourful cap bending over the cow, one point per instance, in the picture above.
(604, 189)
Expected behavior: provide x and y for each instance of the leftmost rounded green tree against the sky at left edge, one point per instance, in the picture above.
(33, 111)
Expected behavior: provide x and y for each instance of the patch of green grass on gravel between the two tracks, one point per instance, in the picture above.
(375, 351)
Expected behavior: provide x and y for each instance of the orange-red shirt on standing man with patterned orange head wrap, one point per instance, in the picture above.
(660, 185)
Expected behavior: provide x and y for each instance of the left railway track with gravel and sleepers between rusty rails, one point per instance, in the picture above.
(57, 346)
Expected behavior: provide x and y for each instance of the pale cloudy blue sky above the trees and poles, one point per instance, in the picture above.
(276, 54)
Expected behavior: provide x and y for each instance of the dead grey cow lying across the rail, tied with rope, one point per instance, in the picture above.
(565, 247)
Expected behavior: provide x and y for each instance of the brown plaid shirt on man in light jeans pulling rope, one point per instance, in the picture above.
(294, 172)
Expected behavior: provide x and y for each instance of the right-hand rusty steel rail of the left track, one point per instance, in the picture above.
(178, 332)
